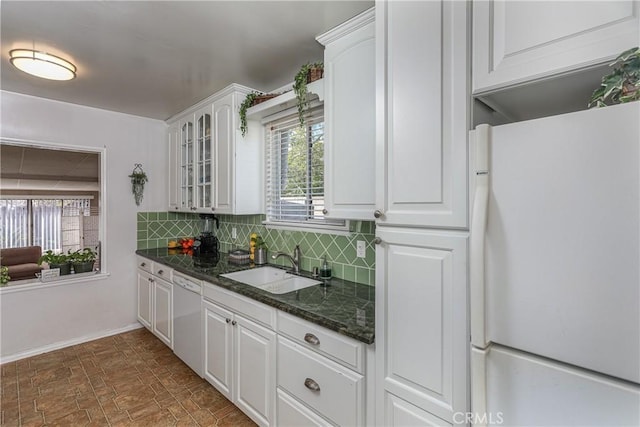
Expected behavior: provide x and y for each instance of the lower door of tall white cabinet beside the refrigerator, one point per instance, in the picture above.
(421, 318)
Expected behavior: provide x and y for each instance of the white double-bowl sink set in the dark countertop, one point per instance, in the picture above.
(272, 280)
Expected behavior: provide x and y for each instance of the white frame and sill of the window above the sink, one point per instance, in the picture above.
(328, 226)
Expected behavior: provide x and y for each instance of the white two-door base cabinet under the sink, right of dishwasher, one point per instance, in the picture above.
(240, 354)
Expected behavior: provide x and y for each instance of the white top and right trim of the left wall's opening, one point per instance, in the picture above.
(101, 200)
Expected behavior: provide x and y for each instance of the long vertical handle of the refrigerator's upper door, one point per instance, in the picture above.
(480, 138)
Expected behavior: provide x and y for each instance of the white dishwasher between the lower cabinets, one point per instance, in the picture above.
(187, 323)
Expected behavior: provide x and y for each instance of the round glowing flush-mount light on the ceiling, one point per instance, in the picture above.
(42, 64)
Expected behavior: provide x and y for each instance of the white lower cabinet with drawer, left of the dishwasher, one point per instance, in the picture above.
(155, 300)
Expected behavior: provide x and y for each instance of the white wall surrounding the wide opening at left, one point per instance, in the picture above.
(35, 320)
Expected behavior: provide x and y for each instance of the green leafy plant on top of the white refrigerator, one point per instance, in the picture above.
(622, 84)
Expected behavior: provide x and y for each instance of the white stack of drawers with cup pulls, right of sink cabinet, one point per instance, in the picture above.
(321, 377)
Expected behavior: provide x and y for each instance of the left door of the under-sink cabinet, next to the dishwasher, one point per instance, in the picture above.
(218, 348)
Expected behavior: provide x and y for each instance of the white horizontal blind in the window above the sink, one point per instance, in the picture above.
(295, 170)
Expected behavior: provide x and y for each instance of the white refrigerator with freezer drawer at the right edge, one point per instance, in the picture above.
(555, 270)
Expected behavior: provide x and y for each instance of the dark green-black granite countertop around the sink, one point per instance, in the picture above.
(345, 307)
